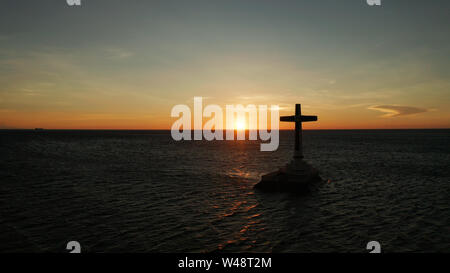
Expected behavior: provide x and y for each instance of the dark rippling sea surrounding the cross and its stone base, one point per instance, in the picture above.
(140, 191)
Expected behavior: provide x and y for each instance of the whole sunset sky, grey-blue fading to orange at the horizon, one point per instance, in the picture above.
(111, 64)
